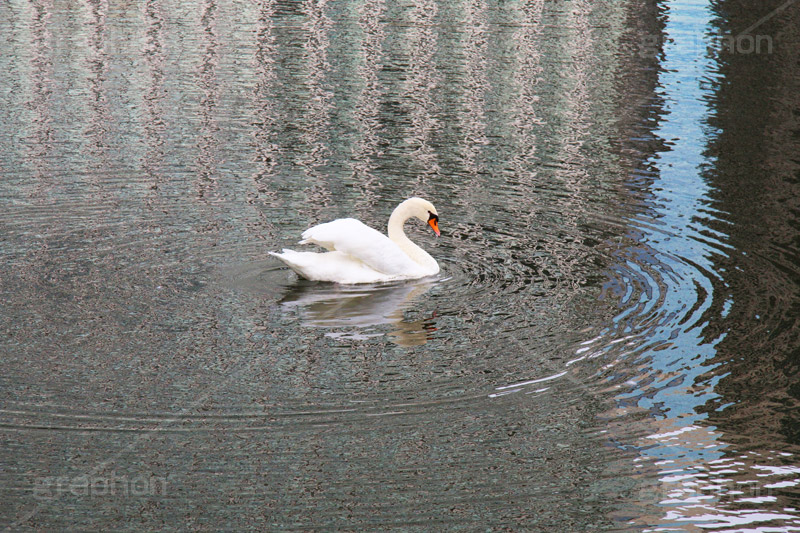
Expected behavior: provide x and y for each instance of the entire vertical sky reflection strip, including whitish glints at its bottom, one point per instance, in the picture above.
(688, 454)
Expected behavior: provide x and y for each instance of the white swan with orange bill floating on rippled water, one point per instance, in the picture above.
(360, 254)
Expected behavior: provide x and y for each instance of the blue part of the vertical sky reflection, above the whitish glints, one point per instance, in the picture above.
(679, 196)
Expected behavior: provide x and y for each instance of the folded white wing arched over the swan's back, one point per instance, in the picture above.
(362, 243)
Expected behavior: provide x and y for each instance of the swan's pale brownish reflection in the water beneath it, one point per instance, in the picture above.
(356, 311)
